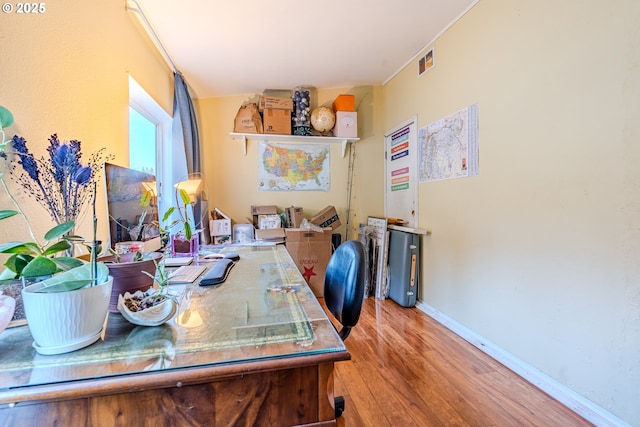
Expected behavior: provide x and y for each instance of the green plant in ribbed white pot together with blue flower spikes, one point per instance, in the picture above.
(66, 311)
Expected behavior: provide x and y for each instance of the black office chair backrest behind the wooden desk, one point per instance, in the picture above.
(344, 283)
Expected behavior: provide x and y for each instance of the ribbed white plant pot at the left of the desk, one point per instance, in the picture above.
(61, 322)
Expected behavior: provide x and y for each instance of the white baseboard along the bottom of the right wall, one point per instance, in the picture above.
(574, 401)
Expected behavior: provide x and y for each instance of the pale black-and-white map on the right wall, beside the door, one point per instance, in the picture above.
(448, 148)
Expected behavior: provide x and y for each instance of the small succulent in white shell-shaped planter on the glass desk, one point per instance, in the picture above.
(152, 307)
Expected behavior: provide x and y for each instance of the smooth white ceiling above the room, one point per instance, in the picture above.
(240, 47)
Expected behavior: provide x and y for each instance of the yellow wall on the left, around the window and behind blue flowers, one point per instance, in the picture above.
(65, 71)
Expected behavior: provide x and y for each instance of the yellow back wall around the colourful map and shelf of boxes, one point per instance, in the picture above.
(232, 177)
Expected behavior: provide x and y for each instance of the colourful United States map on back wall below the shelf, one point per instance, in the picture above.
(298, 167)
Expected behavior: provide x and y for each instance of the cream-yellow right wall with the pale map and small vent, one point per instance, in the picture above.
(539, 253)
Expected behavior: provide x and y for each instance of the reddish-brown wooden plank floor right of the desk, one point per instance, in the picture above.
(408, 370)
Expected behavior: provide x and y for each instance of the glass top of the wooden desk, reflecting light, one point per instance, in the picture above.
(264, 310)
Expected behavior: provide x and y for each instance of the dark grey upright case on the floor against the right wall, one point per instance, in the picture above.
(404, 267)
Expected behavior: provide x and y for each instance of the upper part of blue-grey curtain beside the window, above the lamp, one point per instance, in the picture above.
(184, 111)
